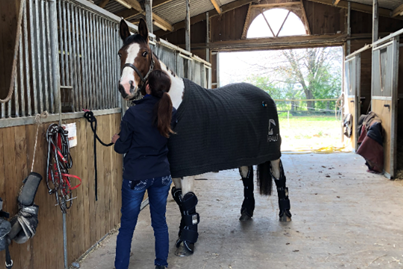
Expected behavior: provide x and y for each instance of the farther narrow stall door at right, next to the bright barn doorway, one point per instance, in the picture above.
(352, 75)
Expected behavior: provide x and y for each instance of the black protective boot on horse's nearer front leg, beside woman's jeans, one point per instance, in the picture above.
(189, 235)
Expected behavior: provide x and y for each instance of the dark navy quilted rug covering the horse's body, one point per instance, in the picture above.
(218, 129)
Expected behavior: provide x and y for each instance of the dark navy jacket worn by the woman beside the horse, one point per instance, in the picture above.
(146, 149)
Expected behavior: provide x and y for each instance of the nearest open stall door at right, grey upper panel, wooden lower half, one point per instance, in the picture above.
(385, 59)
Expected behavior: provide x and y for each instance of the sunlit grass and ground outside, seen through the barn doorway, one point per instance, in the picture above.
(312, 133)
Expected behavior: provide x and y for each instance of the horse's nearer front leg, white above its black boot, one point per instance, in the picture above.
(186, 199)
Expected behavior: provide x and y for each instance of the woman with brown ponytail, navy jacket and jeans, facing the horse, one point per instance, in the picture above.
(143, 137)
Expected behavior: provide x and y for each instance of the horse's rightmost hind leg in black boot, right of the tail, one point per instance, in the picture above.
(278, 175)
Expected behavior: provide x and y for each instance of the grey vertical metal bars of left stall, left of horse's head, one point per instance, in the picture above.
(84, 41)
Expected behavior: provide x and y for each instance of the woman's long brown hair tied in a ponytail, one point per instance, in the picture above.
(160, 83)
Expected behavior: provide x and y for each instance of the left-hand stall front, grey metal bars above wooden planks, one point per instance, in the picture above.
(61, 57)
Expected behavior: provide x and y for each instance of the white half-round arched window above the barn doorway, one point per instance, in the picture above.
(276, 22)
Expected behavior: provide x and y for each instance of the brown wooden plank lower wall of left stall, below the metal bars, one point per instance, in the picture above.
(87, 220)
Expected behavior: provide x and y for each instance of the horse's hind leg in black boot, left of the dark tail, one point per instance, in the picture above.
(248, 204)
